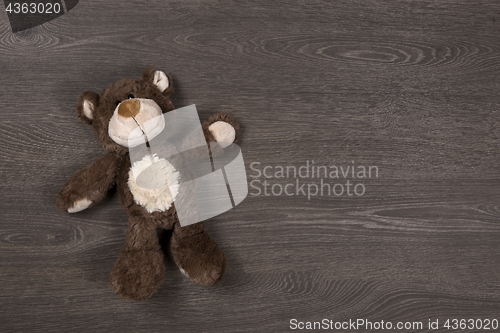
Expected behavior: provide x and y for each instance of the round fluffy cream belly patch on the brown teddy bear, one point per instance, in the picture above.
(154, 183)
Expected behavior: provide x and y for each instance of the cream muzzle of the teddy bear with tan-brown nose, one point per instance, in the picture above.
(136, 121)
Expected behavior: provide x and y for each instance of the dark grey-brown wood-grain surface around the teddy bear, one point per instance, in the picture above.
(409, 86)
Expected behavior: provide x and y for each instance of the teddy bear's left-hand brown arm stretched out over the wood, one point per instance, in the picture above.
(89, 185)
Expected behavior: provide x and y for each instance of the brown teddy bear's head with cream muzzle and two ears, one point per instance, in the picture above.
(125, 107)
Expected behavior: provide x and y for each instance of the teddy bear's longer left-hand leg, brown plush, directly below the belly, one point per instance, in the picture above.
(139, 270)
